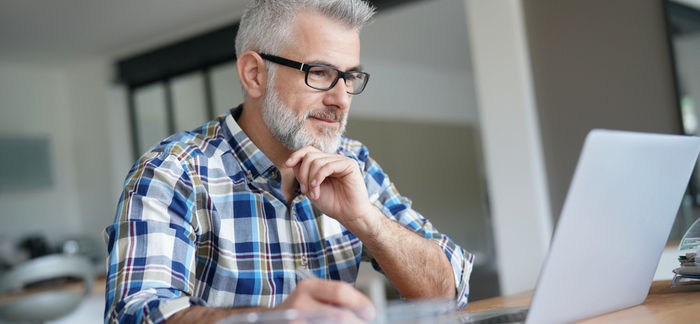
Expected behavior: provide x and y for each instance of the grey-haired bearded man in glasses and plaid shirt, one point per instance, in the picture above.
(219, 220)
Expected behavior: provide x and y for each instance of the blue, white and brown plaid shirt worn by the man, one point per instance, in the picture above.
(202, 220)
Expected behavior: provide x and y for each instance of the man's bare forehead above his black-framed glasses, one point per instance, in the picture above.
(320, 39)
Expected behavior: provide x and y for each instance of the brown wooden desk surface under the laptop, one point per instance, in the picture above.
(663, 305)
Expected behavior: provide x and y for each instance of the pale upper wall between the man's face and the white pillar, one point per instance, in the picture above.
(419, 64)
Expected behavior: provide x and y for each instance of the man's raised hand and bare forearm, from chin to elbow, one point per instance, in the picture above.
(416, 267)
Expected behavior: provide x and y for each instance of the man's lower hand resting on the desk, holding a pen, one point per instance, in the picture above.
(330, 299)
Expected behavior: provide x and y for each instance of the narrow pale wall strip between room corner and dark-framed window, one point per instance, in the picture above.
(99, 136)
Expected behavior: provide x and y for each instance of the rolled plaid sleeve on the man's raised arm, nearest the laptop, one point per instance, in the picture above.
(383, 195)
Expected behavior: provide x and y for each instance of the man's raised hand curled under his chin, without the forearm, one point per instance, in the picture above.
(336, 186)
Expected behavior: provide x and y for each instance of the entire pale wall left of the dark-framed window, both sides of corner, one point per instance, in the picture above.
(77, 108)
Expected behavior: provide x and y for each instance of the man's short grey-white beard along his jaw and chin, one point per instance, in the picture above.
(289, 127)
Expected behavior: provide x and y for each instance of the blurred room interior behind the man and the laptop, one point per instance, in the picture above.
(476, 109)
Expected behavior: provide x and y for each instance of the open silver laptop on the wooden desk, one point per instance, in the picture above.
(616, 219)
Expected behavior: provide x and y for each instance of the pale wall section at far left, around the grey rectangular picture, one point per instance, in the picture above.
(34, 101)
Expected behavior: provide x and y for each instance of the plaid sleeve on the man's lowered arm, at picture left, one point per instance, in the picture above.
(151, 245)
